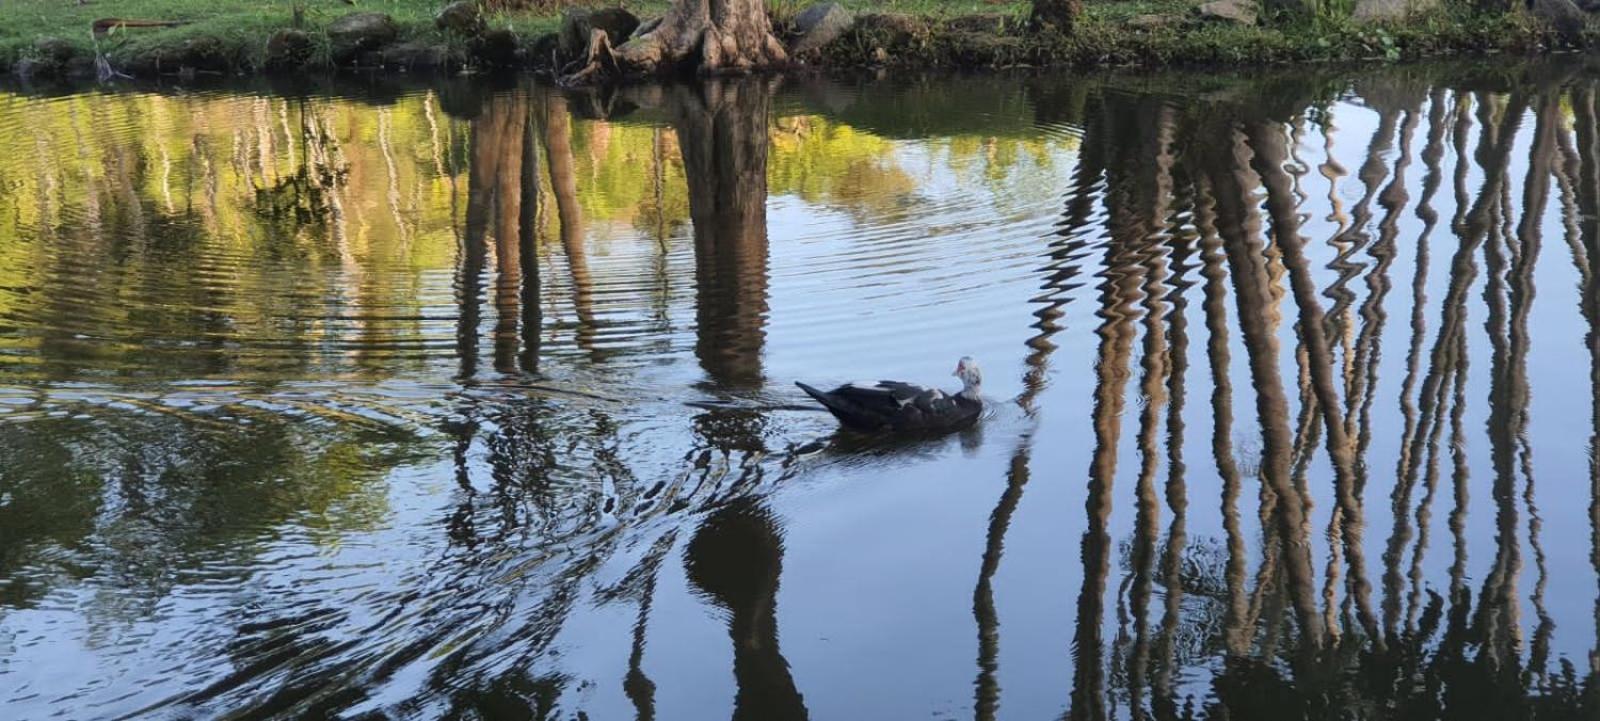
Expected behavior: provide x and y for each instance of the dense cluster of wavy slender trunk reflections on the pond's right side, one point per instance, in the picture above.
(1426, 656)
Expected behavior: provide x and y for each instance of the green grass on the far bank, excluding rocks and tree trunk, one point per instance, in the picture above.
(231, 36)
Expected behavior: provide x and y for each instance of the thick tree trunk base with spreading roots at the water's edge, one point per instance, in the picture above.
(716, 36)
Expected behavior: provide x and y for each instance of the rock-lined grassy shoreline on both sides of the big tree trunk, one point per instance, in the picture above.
(874, 41)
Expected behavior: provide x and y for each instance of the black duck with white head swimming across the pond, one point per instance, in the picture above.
(900, 407)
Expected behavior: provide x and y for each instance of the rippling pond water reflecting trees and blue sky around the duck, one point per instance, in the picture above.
(476, 400)
